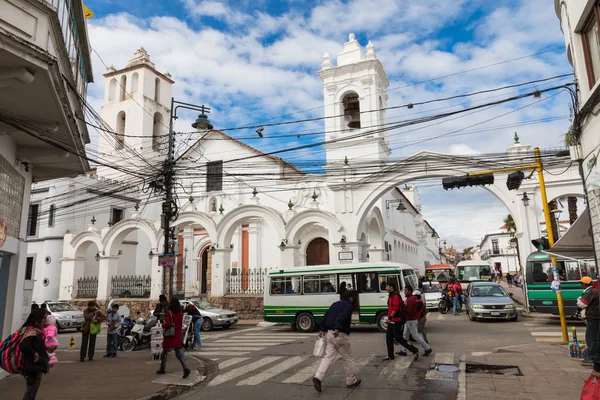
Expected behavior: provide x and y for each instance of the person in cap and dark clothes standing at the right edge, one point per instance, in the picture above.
(589, 302)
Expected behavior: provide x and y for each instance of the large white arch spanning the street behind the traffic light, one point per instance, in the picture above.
(396, 174)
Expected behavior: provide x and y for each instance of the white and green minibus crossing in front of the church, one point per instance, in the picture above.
(302, 295)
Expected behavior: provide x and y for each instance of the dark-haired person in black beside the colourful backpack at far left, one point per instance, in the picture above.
(33, 352)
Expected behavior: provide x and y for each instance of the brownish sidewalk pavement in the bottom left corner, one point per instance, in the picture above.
(128, 376)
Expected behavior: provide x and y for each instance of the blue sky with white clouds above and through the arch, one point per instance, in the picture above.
(257, 61)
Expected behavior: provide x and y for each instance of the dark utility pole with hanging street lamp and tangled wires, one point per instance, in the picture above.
(170, 210)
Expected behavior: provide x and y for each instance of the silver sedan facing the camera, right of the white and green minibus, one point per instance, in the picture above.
(488, 300)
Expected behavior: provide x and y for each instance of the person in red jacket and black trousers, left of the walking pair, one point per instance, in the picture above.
(396, 320)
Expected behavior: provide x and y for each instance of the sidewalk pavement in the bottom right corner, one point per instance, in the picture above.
(548, 373)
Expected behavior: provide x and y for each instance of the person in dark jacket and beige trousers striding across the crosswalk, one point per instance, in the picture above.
(335, 325)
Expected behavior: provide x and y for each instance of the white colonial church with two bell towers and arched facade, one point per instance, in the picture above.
(240, 211)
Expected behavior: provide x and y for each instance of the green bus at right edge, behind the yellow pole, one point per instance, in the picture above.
(539, 276)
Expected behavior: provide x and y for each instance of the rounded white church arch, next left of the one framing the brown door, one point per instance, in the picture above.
(233, 219)
